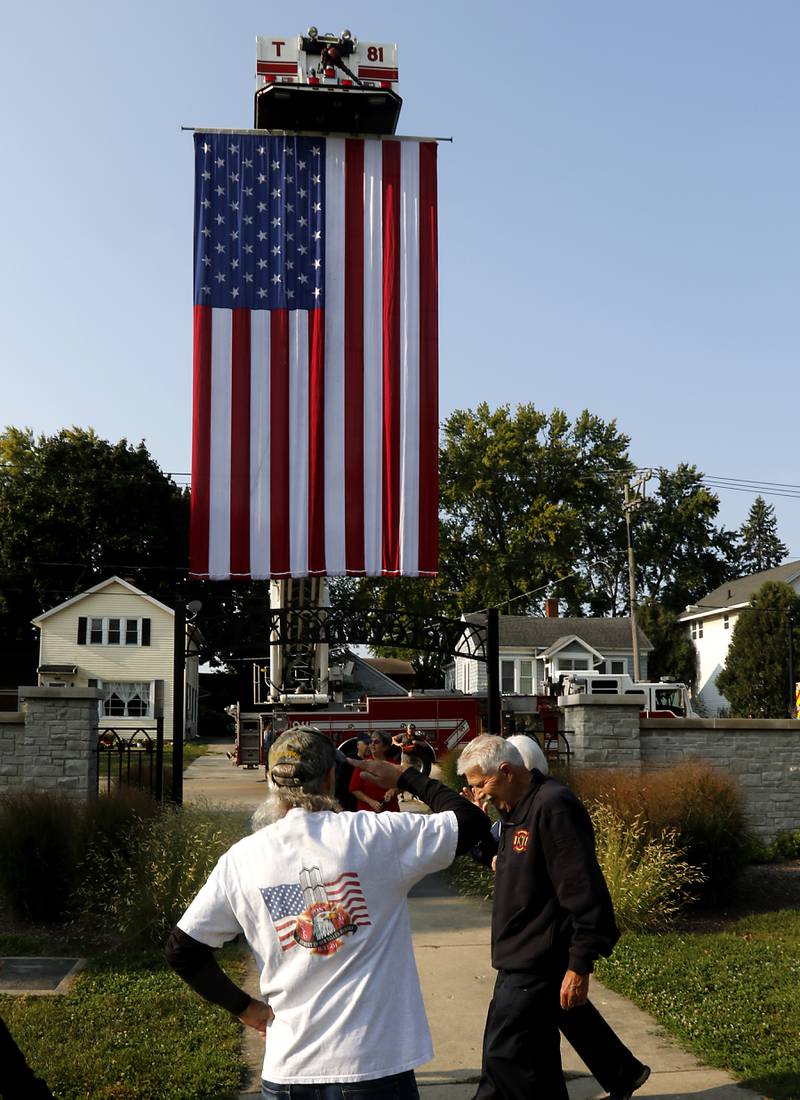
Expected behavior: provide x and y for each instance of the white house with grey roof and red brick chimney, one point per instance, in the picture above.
(536, 651)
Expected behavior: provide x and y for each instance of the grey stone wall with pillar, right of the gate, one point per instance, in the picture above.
(763, 756)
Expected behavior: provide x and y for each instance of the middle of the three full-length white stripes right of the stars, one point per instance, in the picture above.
(374, 358)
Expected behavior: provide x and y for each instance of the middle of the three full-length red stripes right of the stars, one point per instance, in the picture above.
(391, 356)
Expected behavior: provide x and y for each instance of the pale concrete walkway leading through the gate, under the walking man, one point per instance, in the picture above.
(452, 945)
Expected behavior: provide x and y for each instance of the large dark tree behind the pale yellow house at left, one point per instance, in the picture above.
(75, 510)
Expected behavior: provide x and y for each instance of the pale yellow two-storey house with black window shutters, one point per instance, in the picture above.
(117, 639)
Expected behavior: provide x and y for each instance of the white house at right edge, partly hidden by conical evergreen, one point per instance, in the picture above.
(711, 622)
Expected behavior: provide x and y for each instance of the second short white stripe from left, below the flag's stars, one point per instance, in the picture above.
(260, 444)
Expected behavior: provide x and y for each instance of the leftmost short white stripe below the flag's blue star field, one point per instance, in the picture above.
(220, 542)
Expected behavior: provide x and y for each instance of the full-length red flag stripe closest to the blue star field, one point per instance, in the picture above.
(355, 357)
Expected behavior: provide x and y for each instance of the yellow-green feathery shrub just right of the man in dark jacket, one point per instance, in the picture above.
(648, 879)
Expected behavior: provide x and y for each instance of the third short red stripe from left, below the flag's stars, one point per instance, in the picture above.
(280, 443)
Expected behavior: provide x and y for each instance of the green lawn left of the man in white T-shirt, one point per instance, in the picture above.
(128, 1029)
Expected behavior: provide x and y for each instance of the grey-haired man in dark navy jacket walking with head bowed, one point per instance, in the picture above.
(553, 919)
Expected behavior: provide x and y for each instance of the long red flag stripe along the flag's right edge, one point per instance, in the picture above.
(429, 362)
